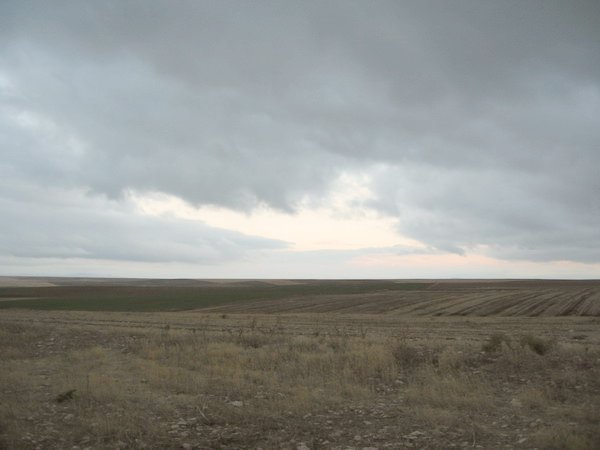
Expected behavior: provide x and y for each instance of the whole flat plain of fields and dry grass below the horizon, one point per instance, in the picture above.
(89, 363)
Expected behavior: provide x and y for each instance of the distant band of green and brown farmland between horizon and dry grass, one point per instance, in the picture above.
(528, 298)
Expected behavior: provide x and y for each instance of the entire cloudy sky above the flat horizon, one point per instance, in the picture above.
(300, 139)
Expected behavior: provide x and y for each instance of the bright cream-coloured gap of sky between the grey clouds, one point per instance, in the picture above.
(341, 221)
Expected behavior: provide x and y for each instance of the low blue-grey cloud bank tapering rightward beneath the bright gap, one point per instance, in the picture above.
(65, 224)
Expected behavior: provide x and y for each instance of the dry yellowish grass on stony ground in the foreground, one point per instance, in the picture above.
(279, 383)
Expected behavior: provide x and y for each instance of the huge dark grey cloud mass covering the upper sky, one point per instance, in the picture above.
(478, 120)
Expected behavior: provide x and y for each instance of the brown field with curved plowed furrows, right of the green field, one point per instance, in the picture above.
(447, 298)
